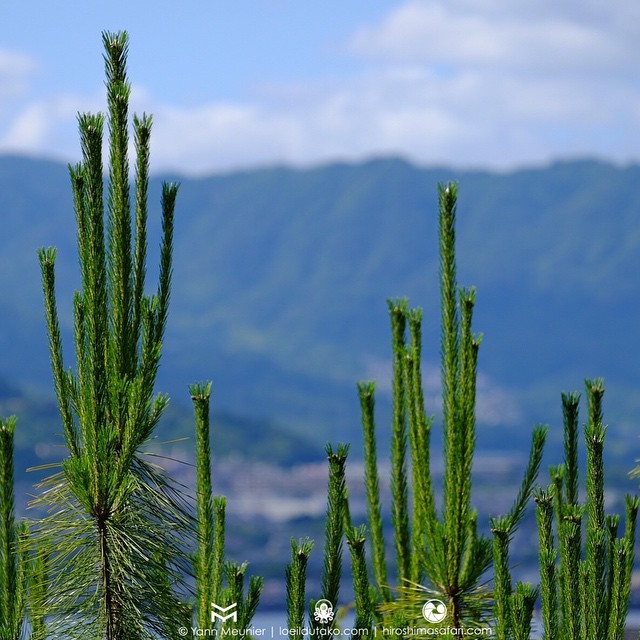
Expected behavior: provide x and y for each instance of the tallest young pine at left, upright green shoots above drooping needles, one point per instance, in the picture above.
(115, 533)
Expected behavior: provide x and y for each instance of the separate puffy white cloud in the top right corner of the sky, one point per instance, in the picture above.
(503, 35)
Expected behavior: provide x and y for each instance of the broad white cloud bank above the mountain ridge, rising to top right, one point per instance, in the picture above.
(466, 82)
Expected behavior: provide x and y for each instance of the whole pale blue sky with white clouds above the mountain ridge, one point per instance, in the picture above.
(240, 83)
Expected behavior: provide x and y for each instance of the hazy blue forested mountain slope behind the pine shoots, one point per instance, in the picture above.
(281, 278)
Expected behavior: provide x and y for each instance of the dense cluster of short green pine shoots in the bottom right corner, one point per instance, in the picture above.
(584, 588)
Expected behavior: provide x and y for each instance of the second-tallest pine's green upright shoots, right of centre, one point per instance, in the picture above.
(444, 551)
